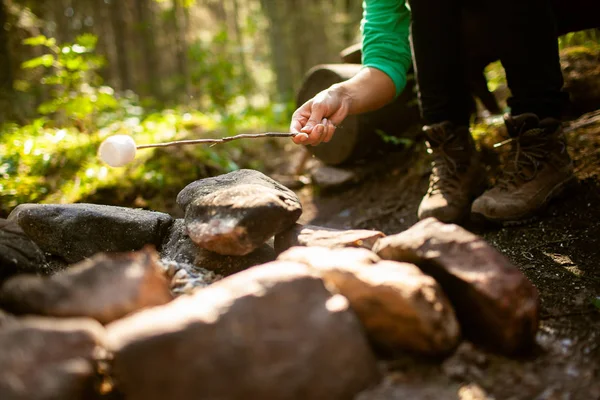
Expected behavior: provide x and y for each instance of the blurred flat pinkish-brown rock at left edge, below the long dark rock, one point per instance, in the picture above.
(105, 287)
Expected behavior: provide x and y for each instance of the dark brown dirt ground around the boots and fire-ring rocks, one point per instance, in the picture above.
(559, 252)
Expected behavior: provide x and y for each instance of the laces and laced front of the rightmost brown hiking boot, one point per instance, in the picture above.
(527, 154)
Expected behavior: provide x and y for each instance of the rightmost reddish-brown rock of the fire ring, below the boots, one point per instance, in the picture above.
(496, 304)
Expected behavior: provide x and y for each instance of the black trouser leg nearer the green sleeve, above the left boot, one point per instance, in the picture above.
(439, 65)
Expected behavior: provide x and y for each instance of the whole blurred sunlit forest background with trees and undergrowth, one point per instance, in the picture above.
(73, 72)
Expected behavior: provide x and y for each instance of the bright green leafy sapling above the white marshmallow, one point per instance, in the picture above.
(71, 73)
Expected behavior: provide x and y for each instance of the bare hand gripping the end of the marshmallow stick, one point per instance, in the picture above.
(315, 121)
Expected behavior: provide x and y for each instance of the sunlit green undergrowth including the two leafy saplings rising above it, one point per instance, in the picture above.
(53, 158)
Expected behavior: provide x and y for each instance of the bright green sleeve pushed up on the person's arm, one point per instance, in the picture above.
(385, 44)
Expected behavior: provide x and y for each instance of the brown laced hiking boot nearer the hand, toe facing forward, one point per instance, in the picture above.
(456, 176)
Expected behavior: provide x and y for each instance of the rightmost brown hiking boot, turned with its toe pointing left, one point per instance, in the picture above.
(537, 168)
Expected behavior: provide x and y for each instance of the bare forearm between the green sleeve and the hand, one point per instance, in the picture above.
(368, 90)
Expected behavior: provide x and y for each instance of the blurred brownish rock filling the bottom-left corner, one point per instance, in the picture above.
(45, 358)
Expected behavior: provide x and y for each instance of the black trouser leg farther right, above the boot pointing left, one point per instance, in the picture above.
(526, 36)
